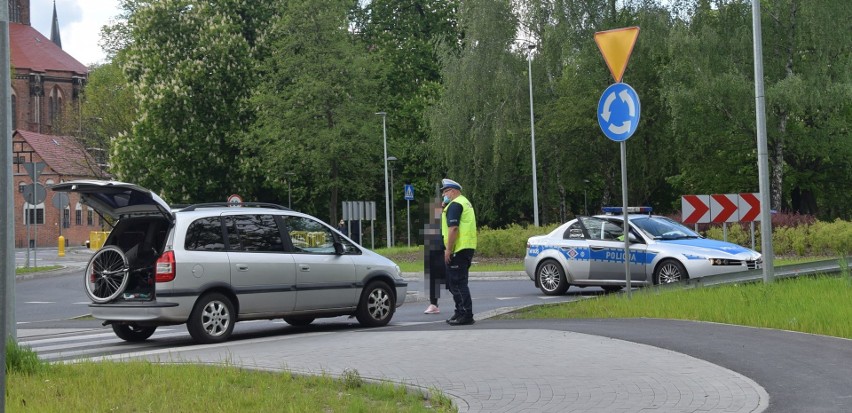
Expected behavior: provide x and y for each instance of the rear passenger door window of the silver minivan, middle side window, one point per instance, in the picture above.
(253, 233)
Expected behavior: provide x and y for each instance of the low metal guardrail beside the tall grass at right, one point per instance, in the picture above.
(829, 267)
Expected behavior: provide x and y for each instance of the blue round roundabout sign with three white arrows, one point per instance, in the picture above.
(618, 111)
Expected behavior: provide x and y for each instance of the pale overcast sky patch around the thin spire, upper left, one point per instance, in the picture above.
(80, 23)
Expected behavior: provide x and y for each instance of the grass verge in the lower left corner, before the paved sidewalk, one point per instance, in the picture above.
(140, 386)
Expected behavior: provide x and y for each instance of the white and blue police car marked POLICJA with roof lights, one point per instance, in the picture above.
(589, 251)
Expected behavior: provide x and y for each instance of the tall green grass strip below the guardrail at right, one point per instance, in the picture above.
(818, 305)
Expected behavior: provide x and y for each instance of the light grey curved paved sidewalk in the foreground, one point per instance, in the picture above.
(502, 370)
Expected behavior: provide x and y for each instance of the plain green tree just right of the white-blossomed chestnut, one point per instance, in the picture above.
(315, 109)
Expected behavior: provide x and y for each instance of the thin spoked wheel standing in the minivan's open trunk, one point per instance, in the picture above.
(107, 274)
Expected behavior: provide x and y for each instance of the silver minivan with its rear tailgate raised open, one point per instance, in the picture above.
(211, 265)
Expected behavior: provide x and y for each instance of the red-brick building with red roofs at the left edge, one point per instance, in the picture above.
(46, 90)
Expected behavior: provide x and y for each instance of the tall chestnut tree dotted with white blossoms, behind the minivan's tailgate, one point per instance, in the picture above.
(191, 67)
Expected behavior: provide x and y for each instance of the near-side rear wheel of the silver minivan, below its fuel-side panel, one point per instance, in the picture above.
(212, 319)
